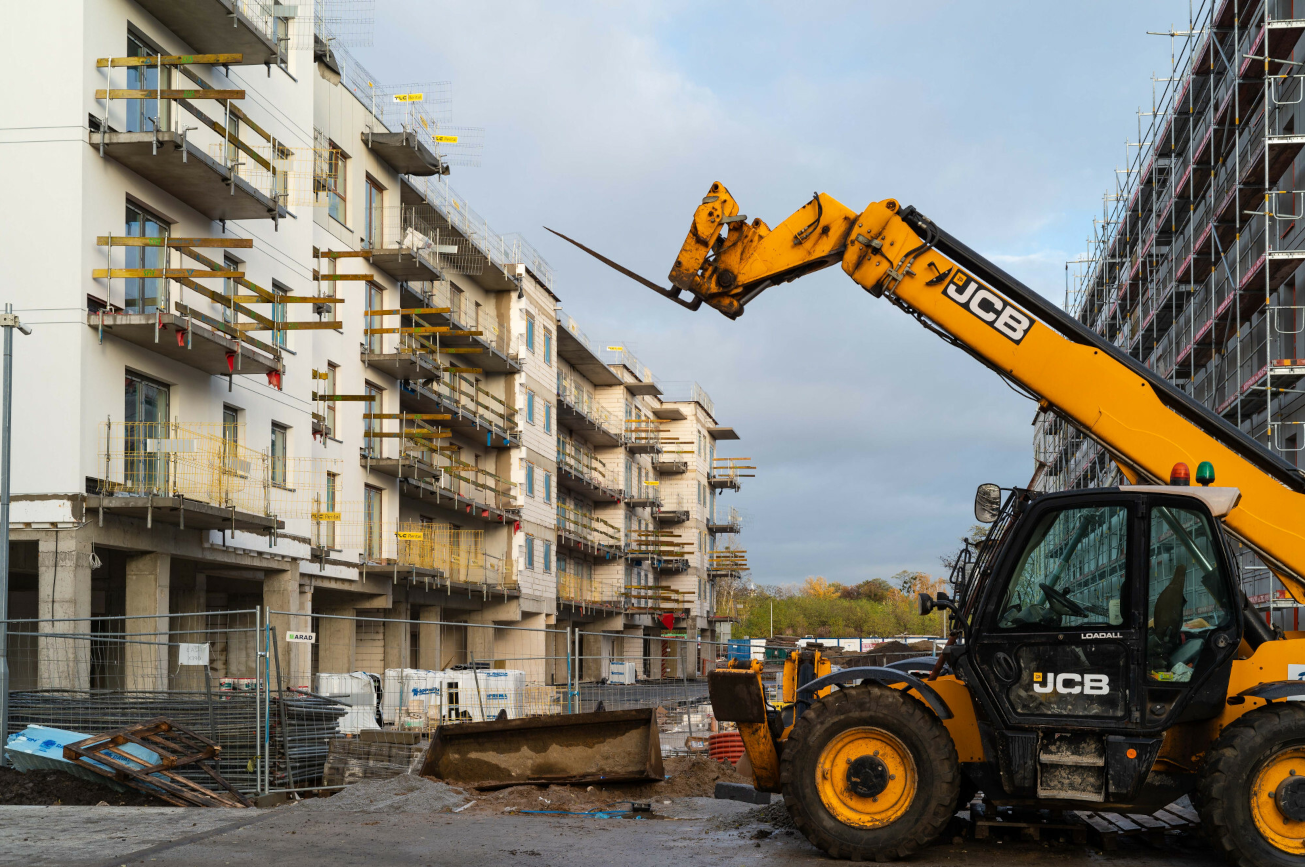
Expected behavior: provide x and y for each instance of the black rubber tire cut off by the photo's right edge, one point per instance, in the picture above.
(1227, 780)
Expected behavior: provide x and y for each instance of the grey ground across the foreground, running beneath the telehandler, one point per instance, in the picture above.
(691, 831)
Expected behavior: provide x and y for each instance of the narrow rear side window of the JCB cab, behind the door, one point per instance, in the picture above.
(1187, 593)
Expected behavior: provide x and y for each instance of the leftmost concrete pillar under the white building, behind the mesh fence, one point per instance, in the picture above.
(63, 595)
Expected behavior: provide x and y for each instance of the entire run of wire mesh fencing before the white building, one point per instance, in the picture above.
(276, 689)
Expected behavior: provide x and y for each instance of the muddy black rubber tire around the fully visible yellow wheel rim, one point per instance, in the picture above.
(938, 774)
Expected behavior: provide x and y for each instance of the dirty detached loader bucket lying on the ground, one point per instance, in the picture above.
(617, 746)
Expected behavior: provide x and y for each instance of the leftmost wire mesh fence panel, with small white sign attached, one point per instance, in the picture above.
(101, 674)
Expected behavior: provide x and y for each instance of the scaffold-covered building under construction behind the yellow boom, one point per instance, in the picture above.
(1196, 263)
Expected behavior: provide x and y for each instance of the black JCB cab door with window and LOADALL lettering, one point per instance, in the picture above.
(1060, 642)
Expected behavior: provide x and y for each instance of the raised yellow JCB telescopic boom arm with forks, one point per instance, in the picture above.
(1140, 418)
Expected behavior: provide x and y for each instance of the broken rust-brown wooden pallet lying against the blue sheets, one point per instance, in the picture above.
(147, 758)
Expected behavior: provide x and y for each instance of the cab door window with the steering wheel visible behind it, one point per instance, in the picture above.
(1072, 573)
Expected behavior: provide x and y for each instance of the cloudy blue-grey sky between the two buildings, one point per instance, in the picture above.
(610, 122)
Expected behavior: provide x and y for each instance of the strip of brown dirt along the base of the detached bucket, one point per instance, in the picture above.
(687, 778)
